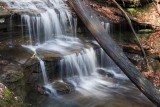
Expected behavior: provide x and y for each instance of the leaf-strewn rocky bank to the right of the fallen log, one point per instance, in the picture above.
(145, 19)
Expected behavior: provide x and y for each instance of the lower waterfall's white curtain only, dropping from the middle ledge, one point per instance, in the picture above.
(76, 67)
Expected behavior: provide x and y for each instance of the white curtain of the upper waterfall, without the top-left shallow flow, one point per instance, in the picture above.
(56, 20)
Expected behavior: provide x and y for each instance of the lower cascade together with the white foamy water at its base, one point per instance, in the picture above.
(81, 71)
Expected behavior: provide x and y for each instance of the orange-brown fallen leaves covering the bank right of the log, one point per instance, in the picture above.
(147, 15)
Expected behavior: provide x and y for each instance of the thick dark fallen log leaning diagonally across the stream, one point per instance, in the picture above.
(91, 21)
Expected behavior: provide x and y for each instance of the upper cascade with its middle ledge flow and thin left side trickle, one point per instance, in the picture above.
(48, 27)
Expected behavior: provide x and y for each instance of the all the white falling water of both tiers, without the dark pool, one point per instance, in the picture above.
(53, 29)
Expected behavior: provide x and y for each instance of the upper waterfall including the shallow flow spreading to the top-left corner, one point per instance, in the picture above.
(44, 20)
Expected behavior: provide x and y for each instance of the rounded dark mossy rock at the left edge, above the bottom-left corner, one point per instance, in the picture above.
(12, 73)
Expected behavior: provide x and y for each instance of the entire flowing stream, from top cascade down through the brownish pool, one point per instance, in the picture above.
(98, 82)
